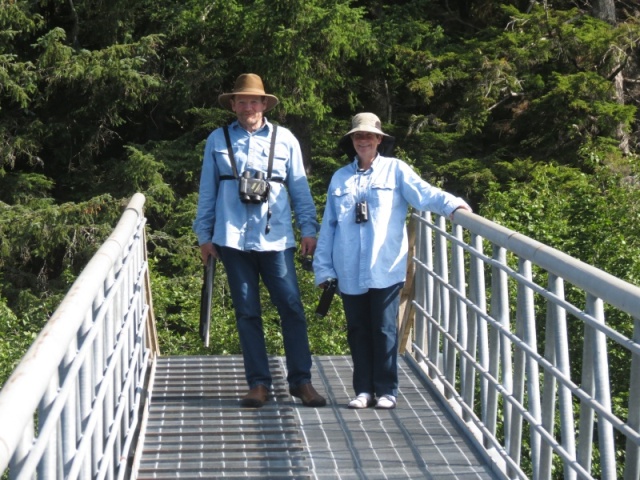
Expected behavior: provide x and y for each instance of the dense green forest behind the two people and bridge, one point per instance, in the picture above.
(527, 109)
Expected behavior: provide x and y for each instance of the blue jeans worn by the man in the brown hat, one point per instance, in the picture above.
(277, 269)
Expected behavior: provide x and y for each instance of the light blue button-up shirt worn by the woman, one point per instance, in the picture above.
(373, 254)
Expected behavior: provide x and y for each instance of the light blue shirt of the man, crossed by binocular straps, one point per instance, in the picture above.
(223, 219)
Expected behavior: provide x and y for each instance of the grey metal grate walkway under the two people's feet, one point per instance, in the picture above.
(196, 429)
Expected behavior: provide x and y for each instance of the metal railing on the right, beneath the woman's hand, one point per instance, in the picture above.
(499, 355)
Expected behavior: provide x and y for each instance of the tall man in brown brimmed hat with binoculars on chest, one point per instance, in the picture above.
(244, 219)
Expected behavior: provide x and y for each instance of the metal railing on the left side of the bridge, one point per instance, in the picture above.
(70, 408)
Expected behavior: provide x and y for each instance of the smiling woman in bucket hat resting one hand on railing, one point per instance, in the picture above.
(363, 244)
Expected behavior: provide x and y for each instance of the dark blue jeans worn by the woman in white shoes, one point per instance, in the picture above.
(372, 333)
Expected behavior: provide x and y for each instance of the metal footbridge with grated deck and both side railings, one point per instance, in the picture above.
(517, 361)
